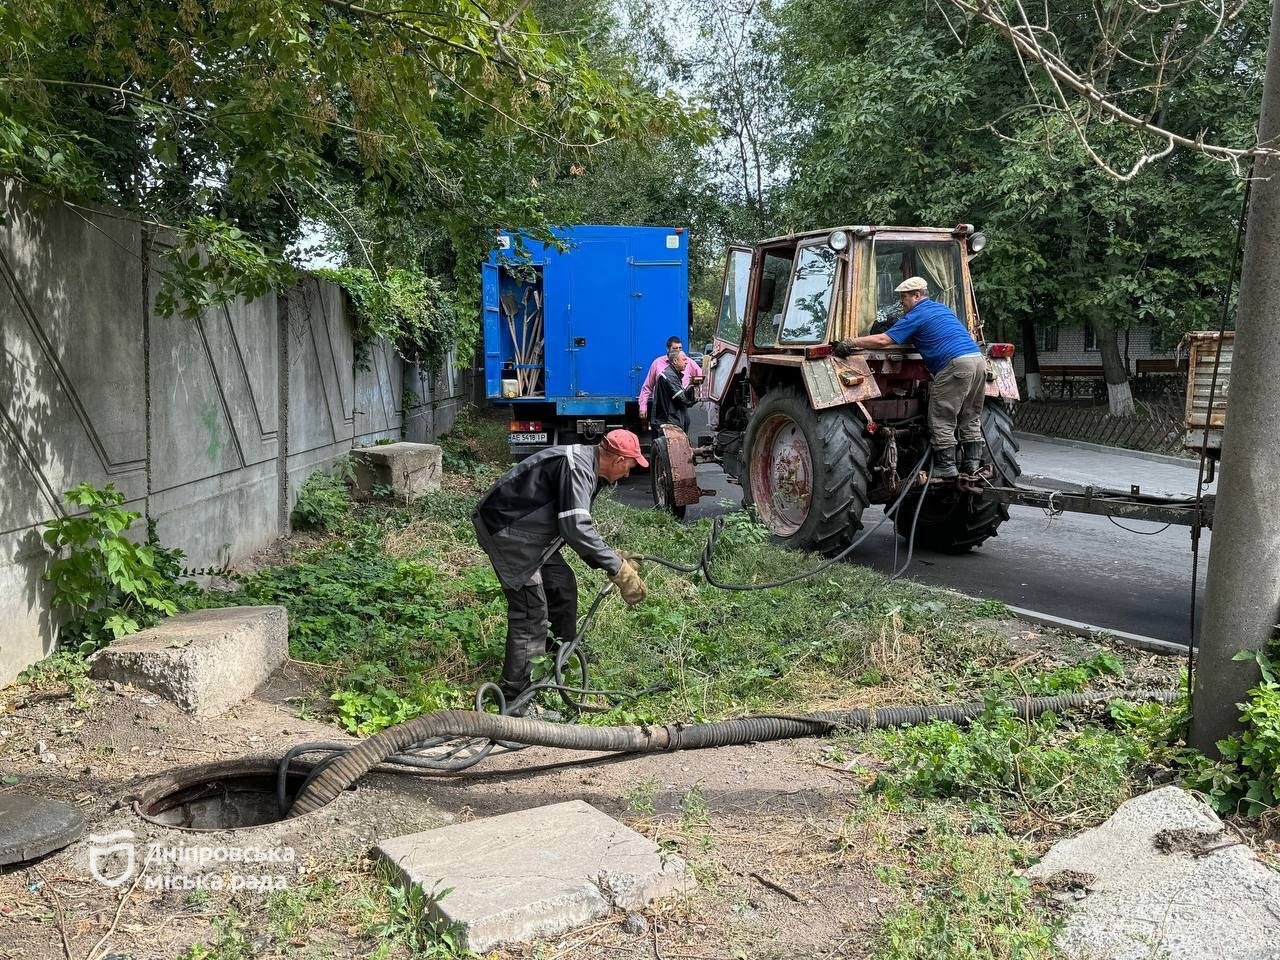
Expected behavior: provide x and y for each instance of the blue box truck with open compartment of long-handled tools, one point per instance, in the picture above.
(569, 335)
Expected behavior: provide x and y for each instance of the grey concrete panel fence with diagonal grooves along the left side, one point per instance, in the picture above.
(209, 427)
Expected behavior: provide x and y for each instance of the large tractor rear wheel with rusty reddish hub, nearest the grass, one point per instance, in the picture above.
(807, 472)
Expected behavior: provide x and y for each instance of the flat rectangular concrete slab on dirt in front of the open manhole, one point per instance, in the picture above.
(534, 874)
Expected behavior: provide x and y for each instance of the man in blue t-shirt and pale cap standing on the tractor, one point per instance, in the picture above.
(958, 368)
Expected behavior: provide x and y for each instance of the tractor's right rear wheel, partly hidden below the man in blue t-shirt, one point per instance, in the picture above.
(953, 522)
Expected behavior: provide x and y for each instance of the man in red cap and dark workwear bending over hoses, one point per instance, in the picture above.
(523, 523)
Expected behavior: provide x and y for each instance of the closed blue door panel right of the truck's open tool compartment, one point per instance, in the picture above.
(600, 319)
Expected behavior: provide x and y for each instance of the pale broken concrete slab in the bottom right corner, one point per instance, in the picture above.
(1164, 880)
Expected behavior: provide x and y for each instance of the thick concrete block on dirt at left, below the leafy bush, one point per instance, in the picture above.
(207, 661)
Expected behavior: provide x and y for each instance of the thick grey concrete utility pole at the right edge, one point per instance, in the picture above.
(1244, 592)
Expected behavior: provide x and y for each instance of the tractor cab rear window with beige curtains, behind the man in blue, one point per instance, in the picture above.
(892, 262)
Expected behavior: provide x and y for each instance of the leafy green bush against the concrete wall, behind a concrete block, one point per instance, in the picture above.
(109, 584)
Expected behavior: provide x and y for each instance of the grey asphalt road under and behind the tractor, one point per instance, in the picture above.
(1075, 566)
